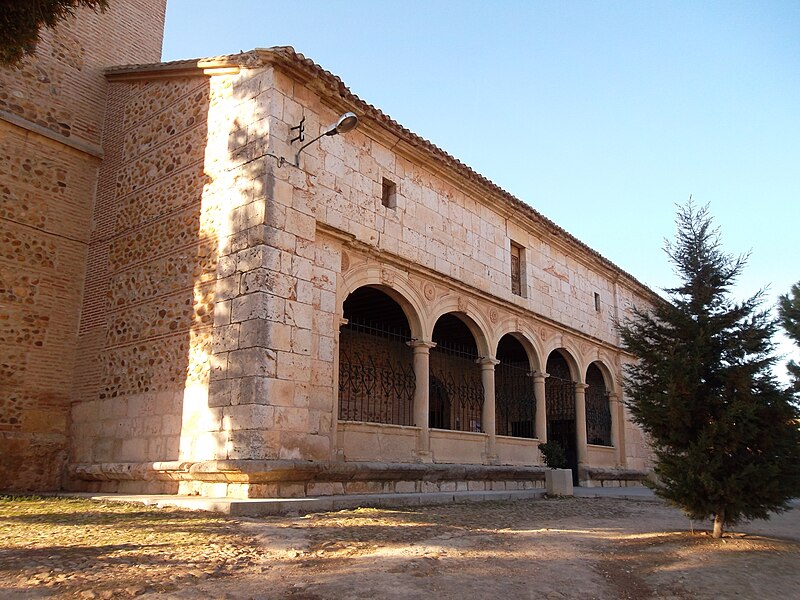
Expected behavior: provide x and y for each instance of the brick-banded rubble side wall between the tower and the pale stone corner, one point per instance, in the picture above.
(149, 303)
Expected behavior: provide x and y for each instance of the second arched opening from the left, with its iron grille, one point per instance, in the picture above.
(456, 391)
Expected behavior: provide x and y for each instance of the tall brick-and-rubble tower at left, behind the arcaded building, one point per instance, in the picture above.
(51, 124)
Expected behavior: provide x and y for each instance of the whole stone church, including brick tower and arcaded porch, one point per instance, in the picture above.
(190, 303)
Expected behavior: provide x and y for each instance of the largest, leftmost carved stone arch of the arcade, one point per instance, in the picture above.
(391, 282)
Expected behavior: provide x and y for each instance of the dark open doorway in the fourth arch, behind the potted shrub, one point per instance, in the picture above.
(560, 402)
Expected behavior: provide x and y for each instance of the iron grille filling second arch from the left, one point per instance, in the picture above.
(456, 390)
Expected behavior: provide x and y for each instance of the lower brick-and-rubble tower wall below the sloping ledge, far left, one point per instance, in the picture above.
(45, 209)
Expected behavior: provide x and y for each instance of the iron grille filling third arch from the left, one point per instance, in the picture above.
(515, 401)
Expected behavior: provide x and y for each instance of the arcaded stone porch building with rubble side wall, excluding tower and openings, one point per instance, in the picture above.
(219, 273)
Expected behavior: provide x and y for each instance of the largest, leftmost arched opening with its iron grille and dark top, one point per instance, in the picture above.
(376, 373)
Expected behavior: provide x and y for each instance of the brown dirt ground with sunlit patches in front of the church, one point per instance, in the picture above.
(548, 548)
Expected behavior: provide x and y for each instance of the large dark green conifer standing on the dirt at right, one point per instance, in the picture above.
(724, 433)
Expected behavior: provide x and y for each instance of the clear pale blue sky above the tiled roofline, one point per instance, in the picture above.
(601, 115)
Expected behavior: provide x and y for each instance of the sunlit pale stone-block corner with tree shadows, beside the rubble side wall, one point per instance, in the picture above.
(250, 297)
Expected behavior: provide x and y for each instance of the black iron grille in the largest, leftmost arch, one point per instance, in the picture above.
(376, 375)
